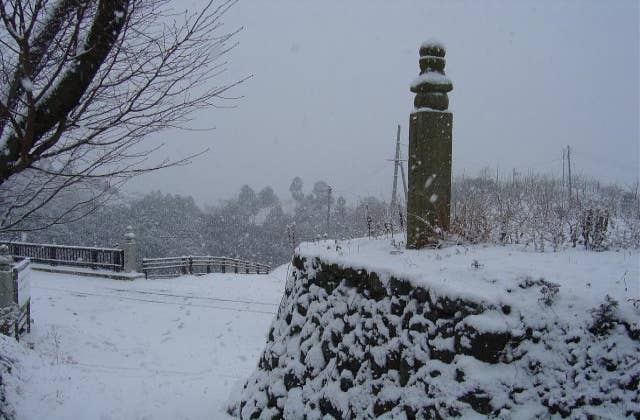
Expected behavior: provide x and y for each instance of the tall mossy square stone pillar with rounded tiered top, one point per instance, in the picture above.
(430, 141)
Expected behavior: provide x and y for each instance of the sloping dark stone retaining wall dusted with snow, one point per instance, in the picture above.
(351, 343)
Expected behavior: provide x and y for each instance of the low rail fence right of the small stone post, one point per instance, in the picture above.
(178, 266)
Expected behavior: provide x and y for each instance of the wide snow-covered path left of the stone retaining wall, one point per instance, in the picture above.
(147, 349)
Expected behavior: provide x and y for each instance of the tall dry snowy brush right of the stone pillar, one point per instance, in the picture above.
(535, 211)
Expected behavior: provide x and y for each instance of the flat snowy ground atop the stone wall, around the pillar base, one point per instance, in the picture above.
(491, 274)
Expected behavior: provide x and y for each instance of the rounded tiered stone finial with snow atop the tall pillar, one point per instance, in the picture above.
(432, 86)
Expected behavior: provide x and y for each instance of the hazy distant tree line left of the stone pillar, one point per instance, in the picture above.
(252, 225)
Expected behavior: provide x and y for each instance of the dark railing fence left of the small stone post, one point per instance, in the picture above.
(90, 257)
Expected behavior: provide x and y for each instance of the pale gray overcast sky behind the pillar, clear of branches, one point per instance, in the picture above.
(331, 82)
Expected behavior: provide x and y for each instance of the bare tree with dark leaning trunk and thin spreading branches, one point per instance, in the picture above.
(84, 82)
